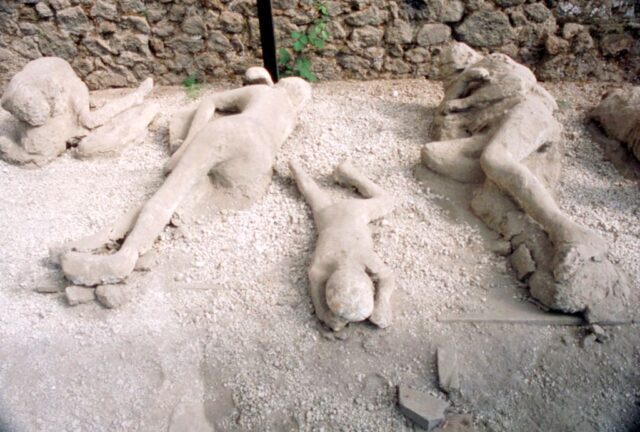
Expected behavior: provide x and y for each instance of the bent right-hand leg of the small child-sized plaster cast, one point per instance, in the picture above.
(378, 204)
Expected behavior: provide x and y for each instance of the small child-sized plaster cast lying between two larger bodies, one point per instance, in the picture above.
(344, 264)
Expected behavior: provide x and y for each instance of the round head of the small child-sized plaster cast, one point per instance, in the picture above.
(349, 293)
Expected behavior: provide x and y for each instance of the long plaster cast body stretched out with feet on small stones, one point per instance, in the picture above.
(236, 151)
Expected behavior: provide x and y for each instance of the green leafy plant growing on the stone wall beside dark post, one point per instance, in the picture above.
(296, 60)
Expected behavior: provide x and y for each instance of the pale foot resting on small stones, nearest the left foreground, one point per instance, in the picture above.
(88, 269)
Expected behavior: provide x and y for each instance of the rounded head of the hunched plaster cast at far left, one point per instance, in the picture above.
(26, 103)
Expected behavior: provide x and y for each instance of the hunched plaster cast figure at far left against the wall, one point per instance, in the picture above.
(50, 108)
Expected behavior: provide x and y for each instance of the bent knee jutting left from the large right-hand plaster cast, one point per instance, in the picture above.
(457, 158)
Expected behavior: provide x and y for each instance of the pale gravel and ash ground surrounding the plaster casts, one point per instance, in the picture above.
(223, 325)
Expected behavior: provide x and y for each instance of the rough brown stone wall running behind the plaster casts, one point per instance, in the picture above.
(119, 42)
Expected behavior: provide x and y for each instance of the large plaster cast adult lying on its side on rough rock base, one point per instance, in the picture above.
(496, 123)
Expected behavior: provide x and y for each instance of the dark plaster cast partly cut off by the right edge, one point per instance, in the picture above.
(619, 115)
